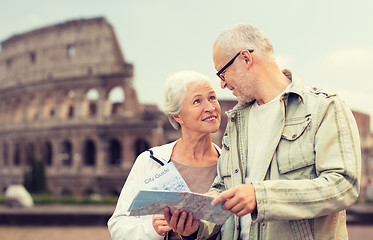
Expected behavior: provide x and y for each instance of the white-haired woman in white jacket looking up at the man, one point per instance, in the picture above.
(192, 107)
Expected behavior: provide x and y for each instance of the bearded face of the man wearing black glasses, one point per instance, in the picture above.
(236, 76)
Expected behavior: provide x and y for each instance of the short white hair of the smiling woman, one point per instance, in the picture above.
(176, 87)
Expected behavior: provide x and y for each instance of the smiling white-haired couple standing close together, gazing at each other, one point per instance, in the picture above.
(290, 159)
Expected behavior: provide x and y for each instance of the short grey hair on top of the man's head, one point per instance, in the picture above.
(244, 36)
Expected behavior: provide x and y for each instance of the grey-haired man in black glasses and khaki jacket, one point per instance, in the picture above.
(290, 162)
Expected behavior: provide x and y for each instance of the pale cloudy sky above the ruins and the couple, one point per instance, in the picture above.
(327, 43)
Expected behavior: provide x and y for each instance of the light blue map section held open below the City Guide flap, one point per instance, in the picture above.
(149, 202)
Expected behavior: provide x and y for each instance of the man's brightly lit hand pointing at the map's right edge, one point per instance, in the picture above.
(239, 199)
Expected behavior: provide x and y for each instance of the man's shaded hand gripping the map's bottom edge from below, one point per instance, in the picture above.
(182, 223)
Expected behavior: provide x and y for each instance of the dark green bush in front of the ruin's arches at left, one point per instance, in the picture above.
(35, 180)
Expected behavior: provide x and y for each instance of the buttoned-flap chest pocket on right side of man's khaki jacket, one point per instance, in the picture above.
(295, 154)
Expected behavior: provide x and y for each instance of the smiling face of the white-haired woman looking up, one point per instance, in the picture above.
(200, 110)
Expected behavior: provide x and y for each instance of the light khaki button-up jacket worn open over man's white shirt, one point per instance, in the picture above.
(312, 168)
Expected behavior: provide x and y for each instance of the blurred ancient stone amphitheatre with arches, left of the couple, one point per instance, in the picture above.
(67, 98)
